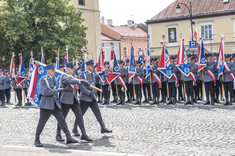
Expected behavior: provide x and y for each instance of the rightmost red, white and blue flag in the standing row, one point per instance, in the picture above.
(221, 60)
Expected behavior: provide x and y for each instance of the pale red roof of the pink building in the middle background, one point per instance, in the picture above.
(128, 32)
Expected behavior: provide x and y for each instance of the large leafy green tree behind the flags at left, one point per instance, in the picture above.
(28, 25)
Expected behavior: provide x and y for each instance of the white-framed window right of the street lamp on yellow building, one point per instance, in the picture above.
(206, 30)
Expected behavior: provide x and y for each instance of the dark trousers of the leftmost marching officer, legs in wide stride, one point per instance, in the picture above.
(44, 116)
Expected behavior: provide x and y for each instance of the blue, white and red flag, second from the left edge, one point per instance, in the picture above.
(22, 75)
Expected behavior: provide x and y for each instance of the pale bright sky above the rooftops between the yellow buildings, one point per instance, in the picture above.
(137, 10)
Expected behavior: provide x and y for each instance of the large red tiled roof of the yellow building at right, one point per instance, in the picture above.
(200, 8)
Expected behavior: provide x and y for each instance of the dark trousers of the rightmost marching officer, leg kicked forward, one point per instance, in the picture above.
(95, 109)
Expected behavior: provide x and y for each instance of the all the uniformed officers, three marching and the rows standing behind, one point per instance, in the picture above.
(78, 95)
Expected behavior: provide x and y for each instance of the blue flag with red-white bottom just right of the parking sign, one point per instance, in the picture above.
(201, 56)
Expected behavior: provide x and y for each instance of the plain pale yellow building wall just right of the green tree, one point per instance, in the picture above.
(91, 15)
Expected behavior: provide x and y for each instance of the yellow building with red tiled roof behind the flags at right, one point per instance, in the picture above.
(212, 18)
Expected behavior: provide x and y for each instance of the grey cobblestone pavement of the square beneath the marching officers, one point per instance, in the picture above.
(143, 130)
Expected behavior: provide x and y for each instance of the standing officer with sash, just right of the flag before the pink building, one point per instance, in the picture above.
(137, 82)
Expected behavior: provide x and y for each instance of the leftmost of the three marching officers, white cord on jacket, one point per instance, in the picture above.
(49, 104)
